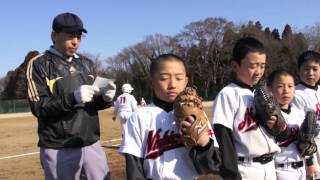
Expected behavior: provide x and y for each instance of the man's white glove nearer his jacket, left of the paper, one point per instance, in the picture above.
(84, 93)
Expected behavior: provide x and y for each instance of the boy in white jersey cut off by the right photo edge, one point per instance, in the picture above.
(308, 95)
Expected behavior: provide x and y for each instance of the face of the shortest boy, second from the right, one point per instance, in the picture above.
(283, 89)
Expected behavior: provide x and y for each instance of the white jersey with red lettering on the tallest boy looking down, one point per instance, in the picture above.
(234, 108)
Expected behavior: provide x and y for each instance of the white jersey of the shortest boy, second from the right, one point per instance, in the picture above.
(289, 151)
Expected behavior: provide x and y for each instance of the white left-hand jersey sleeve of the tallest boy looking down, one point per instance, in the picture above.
(223, 110)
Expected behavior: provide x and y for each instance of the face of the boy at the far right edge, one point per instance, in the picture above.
(309, 72)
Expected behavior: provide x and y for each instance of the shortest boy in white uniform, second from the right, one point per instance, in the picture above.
(289, 163)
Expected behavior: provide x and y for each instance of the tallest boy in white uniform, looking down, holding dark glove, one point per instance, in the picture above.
(247, 150)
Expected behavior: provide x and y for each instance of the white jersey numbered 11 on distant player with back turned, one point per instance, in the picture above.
(124, 106)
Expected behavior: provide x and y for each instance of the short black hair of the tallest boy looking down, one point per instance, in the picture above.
(246, 45)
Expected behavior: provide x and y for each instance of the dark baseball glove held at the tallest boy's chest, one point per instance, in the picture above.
(266, 107)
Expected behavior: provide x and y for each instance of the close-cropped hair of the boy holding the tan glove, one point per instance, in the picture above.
(163, 57)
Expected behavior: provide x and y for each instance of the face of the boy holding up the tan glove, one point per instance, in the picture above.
(169, 80)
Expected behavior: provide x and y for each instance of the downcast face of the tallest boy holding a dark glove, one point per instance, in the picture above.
(251, 68)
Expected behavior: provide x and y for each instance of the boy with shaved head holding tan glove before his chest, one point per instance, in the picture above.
(151, 143)
